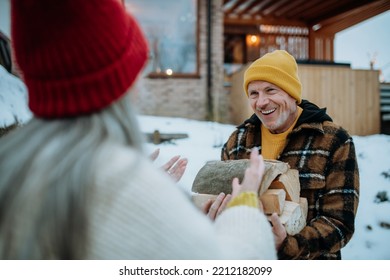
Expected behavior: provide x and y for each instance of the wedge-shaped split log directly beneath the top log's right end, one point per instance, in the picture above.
(288, 181)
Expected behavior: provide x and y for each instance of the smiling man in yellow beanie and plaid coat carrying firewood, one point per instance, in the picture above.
(286, 128)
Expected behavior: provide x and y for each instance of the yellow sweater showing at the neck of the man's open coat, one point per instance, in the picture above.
(273, 144)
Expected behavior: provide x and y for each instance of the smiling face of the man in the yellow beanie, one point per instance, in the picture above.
(273, 106)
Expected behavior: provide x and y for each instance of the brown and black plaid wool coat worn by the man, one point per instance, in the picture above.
(324, 155)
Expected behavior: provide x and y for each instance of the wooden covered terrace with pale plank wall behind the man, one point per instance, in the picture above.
(307, 30)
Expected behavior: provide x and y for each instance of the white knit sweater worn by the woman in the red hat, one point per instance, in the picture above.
(137, 212)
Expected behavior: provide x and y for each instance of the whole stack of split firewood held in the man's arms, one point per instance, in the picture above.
(279, 190)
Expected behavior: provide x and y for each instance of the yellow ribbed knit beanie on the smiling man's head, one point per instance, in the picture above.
(278, 68)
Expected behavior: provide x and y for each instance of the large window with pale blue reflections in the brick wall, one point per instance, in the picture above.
(171, 28)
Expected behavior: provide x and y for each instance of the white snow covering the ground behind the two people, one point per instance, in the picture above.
(205, 139)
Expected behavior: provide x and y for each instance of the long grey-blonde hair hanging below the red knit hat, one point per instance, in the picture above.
(46, 168)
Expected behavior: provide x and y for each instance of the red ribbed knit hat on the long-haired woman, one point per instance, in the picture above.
(76, 57)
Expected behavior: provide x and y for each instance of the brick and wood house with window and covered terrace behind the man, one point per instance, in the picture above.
(199, 76)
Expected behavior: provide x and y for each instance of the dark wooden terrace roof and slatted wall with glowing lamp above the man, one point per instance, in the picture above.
(306, 29)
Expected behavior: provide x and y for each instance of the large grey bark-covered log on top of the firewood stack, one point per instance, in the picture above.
(217, 176)
